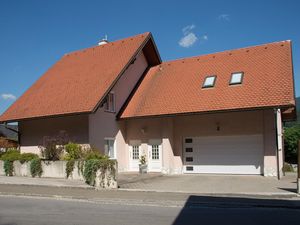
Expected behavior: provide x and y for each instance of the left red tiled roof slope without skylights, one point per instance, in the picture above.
(77, 82)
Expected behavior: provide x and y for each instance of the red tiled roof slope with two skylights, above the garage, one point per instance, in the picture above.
(176, 87)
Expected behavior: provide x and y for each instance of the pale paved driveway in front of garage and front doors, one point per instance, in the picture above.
(209, 184)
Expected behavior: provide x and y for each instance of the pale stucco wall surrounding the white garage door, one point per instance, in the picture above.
(172, 130)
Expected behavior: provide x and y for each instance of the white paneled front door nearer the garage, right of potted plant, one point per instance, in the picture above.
(154, 156)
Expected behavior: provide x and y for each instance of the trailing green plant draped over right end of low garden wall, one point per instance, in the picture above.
(93, 165)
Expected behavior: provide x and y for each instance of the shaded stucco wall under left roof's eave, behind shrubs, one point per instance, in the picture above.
(33, 131)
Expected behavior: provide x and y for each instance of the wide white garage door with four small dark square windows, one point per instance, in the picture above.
(224, 154)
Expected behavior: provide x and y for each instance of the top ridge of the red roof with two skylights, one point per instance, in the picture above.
(225, 51)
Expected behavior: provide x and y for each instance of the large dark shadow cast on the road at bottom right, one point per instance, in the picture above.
(238, 210)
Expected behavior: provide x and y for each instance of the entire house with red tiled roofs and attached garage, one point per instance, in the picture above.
(217, 113)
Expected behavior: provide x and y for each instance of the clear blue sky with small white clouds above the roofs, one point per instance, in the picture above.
(35, 34)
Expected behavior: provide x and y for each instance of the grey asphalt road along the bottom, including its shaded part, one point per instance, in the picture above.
(20, 210)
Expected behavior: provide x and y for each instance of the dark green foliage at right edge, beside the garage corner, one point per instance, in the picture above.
(291, 137)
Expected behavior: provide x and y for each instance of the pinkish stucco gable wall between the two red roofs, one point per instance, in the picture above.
(104, 125)
